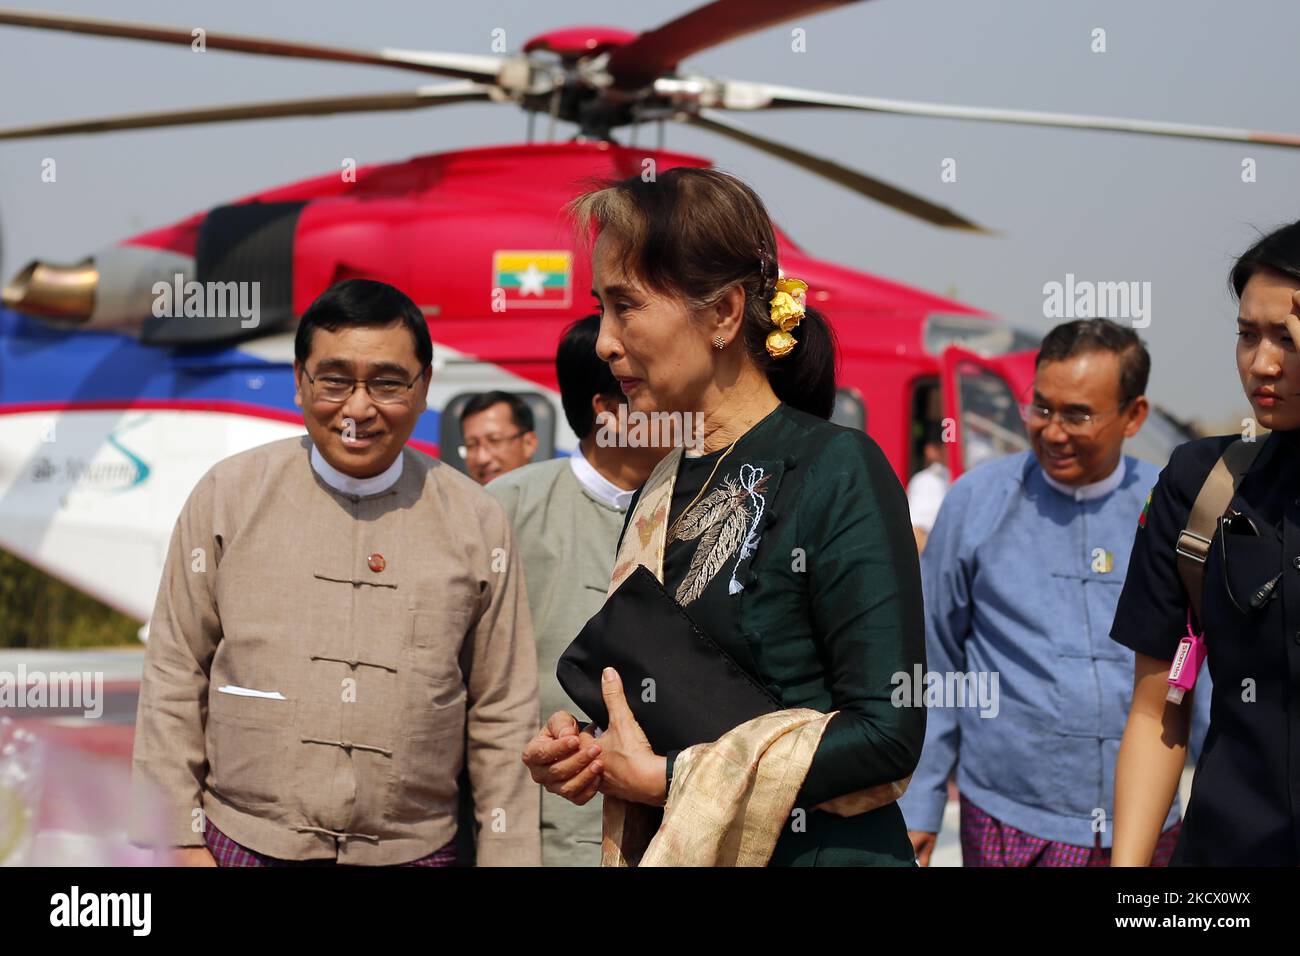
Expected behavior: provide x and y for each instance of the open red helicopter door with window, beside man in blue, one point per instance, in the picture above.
(982, 416)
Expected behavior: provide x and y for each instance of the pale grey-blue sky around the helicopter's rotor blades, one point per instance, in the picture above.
(1103, 206)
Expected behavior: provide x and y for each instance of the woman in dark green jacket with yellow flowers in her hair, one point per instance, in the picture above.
(788, 540)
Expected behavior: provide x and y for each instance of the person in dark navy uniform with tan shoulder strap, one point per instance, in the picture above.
(1246, 795)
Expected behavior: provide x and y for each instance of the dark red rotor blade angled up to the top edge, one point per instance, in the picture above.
(658, 51)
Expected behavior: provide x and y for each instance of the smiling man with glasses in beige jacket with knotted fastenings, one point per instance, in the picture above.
(343, 626)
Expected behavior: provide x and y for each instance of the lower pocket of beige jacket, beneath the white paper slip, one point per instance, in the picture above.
(246, 746)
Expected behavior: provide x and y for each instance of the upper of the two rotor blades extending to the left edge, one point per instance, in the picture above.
(486, 70)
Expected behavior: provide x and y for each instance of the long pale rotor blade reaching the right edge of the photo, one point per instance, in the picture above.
(749, 97)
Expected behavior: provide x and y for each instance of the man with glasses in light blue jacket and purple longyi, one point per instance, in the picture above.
(1021, 577)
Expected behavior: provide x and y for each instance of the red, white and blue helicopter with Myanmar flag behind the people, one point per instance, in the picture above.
(125, 377)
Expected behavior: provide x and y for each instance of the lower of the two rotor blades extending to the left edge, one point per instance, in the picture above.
(363, 103)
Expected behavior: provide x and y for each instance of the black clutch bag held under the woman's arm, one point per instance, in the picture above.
(682, 687)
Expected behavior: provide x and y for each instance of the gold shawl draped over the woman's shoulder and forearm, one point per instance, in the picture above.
(731, 799)
